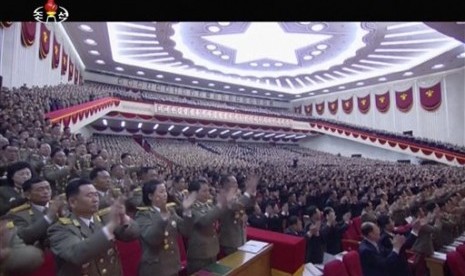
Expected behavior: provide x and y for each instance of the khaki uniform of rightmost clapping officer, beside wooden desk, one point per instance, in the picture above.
(232, 232)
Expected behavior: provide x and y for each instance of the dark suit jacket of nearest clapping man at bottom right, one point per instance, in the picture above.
(373, 262)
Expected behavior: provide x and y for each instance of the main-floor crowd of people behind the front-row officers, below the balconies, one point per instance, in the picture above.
(314, 199)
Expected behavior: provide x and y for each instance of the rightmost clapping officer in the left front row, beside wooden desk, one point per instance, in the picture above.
(232, 230)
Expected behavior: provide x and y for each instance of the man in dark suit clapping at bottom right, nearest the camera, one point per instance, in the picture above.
(373, 262)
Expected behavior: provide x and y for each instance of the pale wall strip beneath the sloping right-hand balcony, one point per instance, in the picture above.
(344, 147)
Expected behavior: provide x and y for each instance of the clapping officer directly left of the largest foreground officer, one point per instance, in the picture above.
(33, 218)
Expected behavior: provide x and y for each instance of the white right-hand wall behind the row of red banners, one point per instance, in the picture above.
(446, 123)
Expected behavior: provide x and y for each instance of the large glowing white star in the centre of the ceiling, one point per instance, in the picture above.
(266, 40)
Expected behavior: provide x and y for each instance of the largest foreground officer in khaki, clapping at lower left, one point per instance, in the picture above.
(81, 243)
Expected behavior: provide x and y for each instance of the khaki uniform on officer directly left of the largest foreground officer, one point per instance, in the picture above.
(31, 224)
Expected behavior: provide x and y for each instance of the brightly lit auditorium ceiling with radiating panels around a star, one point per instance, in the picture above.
(277, 60)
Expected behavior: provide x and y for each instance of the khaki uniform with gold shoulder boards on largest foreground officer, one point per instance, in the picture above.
(79, 251)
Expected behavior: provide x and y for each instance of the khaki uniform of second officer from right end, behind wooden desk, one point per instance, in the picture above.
(203, 245)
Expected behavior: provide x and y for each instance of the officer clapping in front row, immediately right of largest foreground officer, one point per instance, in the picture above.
(160, 227)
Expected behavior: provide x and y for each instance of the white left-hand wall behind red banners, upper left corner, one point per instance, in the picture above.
(21, 65)
